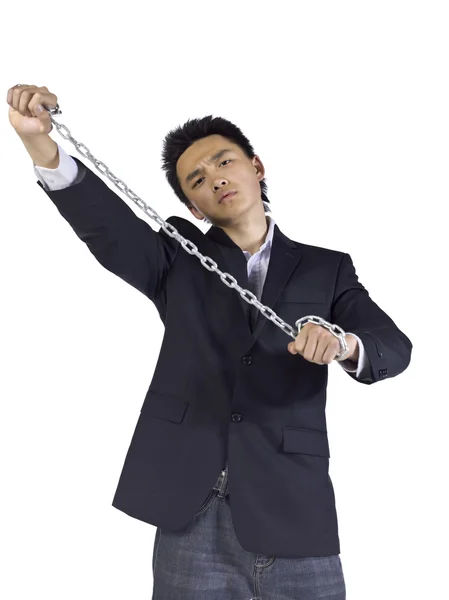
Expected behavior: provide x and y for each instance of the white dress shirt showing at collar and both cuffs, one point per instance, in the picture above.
(66, 174)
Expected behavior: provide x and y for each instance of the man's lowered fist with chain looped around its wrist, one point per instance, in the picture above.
(318, 345)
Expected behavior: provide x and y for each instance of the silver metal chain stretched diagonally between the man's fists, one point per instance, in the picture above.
(190, 247)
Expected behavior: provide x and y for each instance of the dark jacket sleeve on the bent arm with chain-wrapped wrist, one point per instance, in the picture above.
(388, 349)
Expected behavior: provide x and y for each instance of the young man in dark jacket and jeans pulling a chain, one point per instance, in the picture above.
(230, 455)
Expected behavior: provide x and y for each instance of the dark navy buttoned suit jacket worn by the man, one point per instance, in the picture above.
(221, 393)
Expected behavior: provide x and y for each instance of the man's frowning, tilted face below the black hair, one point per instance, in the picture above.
(231, 170)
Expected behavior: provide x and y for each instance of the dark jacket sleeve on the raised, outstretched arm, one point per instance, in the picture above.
(122, 242)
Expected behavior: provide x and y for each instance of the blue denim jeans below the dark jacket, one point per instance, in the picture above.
(205, 561)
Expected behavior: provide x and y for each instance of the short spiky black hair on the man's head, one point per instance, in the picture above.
(178, 140)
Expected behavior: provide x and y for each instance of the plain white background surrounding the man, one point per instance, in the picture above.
(346, 103)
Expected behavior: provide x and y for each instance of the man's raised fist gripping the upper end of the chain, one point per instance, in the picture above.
(23, 116)
